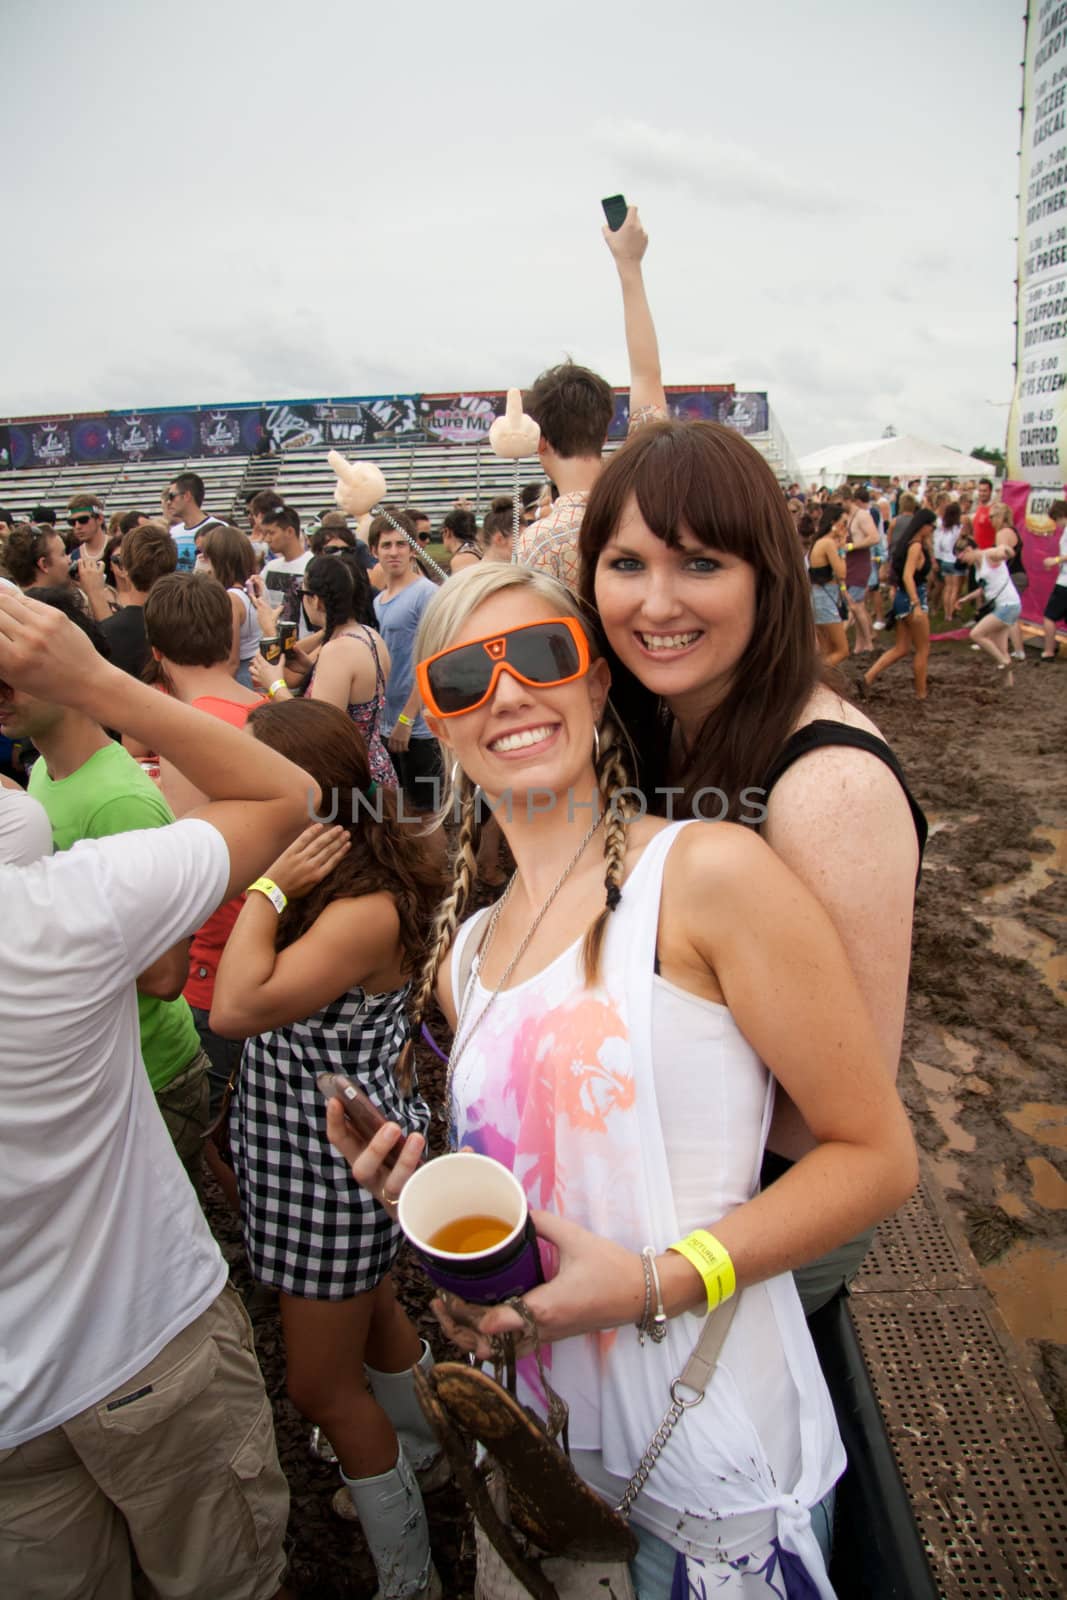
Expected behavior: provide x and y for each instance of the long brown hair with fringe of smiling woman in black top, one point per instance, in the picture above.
(709, 481)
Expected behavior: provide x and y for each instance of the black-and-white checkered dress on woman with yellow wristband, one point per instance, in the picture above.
(310, 1228)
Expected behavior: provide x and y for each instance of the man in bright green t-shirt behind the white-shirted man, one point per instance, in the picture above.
(94, 788)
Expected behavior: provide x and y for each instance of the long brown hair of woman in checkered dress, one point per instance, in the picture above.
(386, 857)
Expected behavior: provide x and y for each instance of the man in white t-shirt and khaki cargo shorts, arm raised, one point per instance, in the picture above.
(132, 1407)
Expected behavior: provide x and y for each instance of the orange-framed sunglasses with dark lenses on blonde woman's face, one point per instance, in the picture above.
(465, 678)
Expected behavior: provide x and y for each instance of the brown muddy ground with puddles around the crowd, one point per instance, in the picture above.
(985, 1071)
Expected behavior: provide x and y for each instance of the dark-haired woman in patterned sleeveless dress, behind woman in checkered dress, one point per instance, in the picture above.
(351, 666)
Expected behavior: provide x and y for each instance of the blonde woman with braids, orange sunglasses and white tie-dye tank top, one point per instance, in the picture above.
(626, 993)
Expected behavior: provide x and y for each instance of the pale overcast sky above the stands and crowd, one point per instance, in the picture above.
(231, 201)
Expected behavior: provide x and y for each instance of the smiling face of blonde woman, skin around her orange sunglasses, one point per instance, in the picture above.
(526, 737)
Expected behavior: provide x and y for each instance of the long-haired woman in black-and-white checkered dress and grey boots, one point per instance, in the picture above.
(322, 986)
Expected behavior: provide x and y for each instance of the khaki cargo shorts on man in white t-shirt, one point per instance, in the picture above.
(180, 1465)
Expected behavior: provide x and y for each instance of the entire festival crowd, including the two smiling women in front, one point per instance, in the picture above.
(250, 775)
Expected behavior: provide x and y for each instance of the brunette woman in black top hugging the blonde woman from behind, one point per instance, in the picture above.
(692, 561)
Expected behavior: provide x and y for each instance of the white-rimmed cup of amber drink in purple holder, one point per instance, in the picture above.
(468, 1222)
